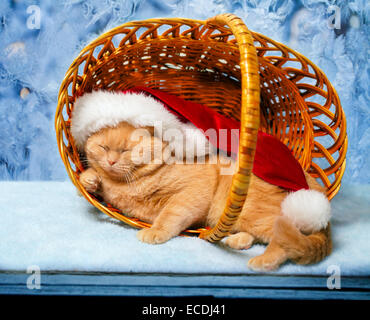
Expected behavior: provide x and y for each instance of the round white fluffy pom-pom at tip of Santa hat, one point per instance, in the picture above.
(309, 210)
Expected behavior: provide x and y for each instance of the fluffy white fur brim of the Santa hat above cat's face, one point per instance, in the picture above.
(100, 109)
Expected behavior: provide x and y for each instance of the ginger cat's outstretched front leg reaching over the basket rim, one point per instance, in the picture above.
(171, 221)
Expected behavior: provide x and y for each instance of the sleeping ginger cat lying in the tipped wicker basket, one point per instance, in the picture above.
(174, 197)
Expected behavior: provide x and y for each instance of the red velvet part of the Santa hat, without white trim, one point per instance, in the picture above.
(273, 161)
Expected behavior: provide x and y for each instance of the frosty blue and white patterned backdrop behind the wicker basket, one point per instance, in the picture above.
(37, 60)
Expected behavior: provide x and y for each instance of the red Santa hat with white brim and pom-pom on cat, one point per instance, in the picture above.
(139, 106)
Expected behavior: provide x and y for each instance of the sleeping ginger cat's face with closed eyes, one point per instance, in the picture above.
(119, 151)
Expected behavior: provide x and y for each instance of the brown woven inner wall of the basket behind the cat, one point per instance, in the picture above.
(208, 73)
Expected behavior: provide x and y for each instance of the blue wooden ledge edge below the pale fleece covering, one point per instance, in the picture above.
(174, 285)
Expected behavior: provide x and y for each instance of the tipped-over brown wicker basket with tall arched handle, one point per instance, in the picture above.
(221, 64)
